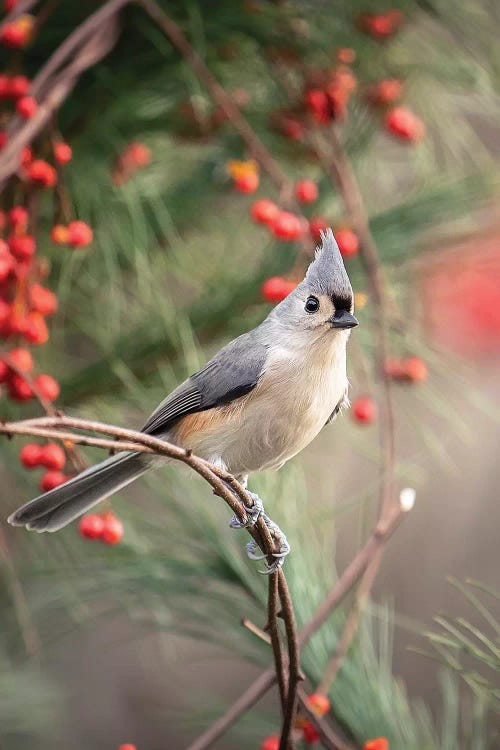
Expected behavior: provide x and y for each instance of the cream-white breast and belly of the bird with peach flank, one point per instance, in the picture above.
(285, 411)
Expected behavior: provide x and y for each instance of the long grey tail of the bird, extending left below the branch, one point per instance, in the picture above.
(55, 509)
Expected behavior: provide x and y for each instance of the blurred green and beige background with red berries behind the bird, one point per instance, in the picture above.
(148, 235)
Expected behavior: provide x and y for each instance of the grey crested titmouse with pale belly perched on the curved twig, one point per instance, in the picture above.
(257, 403)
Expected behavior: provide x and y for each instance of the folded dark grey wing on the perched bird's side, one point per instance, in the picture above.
(233, 372)
